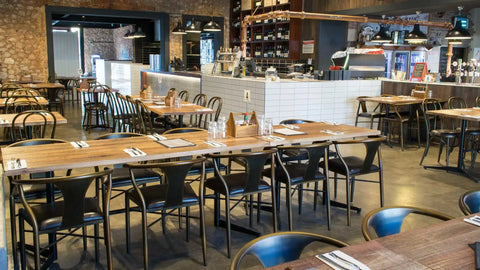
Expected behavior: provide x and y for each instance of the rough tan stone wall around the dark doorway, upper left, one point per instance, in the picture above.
(22, 27)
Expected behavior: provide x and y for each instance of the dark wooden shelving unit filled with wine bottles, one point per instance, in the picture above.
(269, 39)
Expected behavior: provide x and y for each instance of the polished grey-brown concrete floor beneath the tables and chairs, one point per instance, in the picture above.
(406, 183)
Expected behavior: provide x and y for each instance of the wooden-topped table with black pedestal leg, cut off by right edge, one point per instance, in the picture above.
(468, 114)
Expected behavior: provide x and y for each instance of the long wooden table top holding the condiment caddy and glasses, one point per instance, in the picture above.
(108, 152)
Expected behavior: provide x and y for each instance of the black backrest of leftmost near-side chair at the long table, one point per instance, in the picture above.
(73, 189)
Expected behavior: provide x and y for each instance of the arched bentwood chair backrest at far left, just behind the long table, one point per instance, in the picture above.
(21, 129)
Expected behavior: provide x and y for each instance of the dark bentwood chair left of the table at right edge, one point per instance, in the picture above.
(436, 132)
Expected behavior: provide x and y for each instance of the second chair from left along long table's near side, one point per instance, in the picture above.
(175, 193)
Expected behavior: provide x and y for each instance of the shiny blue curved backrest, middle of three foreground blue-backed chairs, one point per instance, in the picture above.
(388, 220)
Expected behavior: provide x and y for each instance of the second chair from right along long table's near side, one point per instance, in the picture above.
(294, 176)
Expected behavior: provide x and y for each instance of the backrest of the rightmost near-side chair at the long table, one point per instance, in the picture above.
(373, 150)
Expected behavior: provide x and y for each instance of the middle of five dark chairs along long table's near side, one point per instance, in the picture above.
(242, 184)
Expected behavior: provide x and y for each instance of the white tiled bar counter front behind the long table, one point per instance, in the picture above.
(287, 99)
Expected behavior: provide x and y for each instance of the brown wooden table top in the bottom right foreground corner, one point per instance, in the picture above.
(440, 246)
